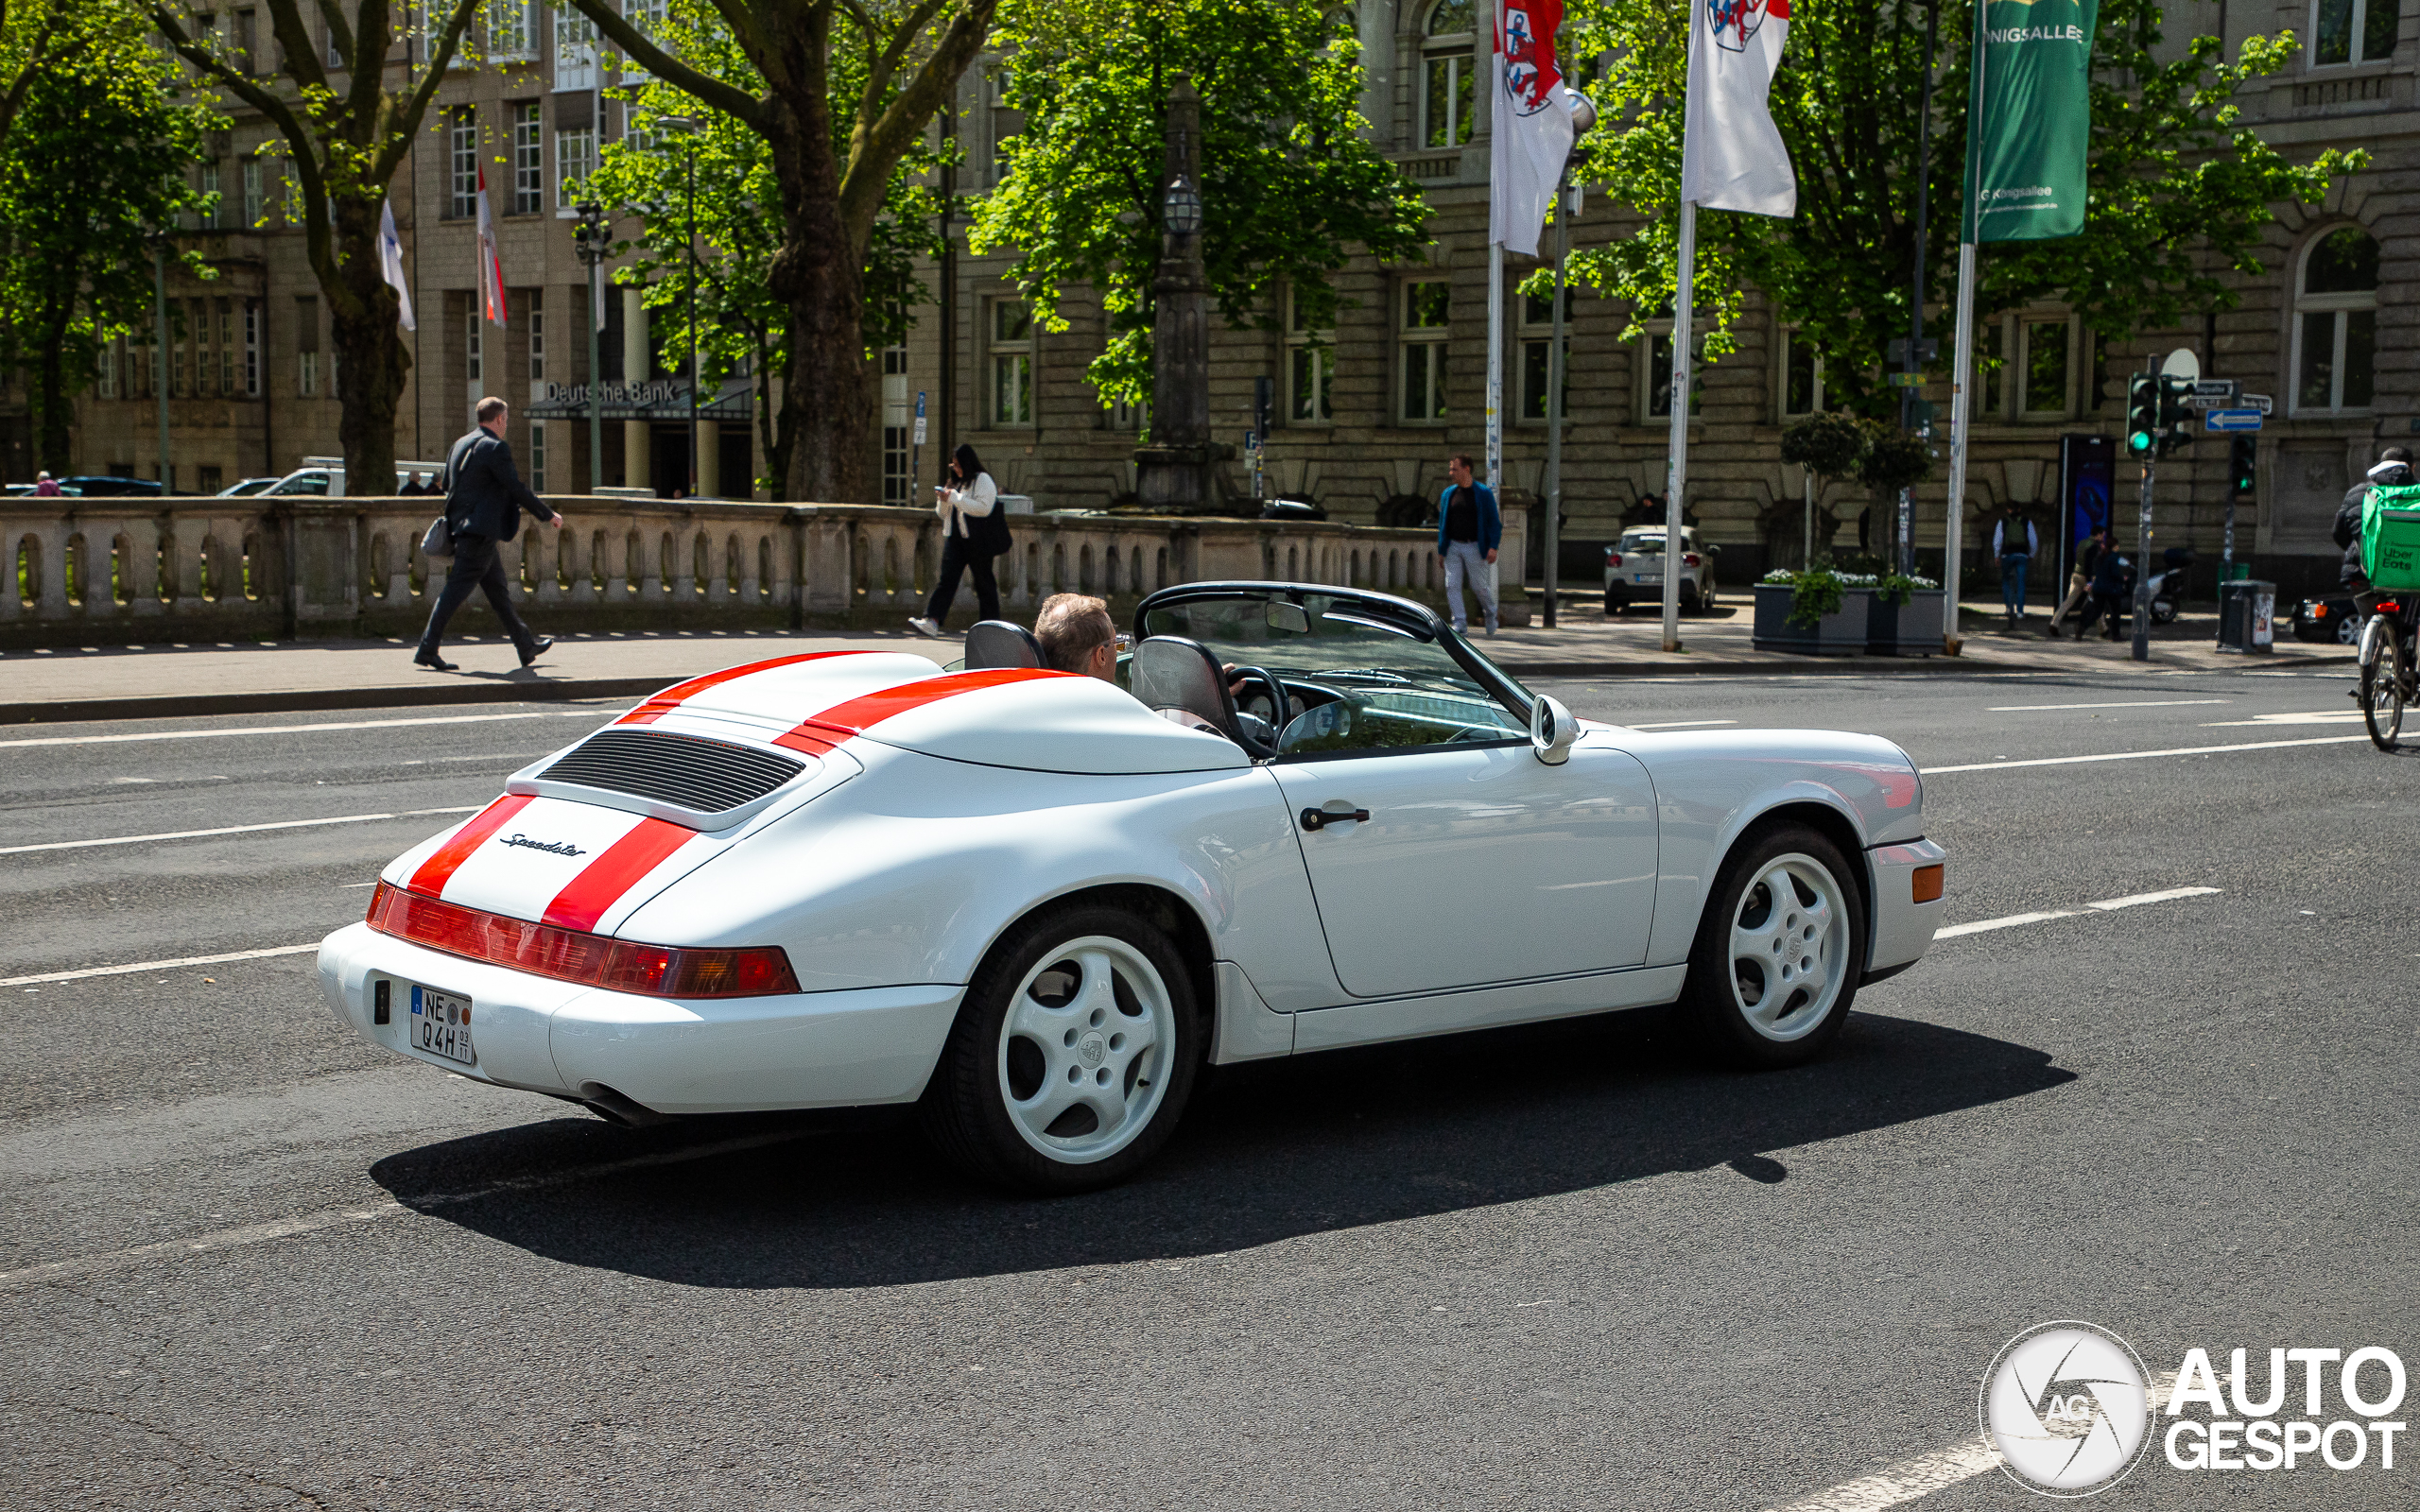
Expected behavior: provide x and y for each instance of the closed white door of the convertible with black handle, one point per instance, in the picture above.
(1477, 862)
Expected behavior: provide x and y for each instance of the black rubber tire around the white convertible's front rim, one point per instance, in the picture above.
(1715, 1000)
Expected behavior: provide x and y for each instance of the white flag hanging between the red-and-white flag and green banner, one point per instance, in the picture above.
(1732, 151)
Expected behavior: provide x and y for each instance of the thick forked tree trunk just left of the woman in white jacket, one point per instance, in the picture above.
(841, 93)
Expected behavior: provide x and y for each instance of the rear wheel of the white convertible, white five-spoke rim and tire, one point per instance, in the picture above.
(1073, 1054)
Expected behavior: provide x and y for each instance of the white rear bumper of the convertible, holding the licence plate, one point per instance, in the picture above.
(672, 1056)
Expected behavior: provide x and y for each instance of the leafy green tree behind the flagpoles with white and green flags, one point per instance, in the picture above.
(2179, 190)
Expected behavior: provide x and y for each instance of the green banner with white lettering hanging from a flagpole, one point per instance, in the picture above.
(2032, 120)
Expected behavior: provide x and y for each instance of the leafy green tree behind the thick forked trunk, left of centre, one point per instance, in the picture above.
(742, 325)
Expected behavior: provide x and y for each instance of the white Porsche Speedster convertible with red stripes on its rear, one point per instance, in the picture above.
(1037, 904)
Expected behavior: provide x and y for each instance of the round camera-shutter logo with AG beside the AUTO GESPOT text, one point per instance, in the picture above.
(2068, 1407)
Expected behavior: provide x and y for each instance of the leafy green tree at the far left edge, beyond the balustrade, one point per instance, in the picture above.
(96, 161)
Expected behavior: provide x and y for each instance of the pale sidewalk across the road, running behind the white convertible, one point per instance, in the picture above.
(282, 676)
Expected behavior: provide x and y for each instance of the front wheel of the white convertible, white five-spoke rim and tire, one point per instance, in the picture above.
(1780, 950)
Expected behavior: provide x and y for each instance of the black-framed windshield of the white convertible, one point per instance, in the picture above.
(1407, 683)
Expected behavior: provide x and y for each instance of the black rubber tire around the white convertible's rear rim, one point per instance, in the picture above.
(967, 1107)
